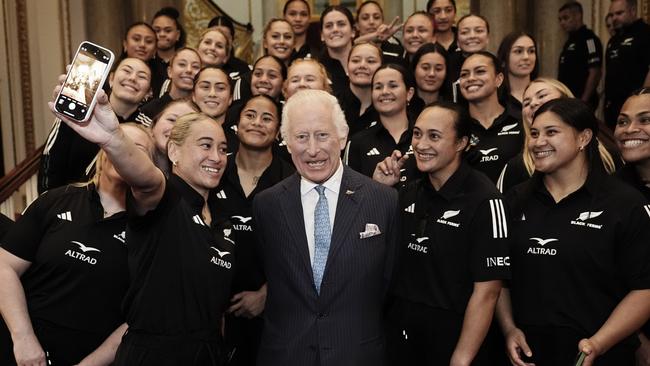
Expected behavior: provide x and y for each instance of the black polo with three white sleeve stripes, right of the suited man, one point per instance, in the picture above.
(452, 238)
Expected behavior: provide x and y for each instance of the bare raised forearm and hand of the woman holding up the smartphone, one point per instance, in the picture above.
(147, 182)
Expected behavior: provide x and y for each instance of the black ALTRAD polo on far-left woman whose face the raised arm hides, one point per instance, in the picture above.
(78, 273)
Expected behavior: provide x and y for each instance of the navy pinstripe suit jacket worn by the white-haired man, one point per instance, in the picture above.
(343, 325)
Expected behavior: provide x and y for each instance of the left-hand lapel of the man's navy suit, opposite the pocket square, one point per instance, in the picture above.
(291, 206)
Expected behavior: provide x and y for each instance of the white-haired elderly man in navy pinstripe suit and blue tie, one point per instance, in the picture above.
(328, 240)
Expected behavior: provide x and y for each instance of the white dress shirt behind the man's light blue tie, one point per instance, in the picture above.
(309, 198)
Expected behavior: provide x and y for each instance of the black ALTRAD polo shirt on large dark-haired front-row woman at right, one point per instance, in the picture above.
(573, 261)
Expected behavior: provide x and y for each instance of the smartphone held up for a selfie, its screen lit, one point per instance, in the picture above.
(88, 72)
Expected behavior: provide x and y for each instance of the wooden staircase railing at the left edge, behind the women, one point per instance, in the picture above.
(20, 186)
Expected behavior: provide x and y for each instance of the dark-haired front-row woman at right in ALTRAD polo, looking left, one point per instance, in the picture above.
(579, 214)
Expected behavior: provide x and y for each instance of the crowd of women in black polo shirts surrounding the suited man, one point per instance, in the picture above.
(526, 222)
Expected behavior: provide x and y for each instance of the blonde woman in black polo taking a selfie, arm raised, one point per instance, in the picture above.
(179, 254)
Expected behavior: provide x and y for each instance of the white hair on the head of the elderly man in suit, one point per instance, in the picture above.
(309, 97)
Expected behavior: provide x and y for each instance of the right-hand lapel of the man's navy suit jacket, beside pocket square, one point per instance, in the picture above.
(347, 208)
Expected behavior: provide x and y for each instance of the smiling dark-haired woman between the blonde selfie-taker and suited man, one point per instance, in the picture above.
(251, 170)
